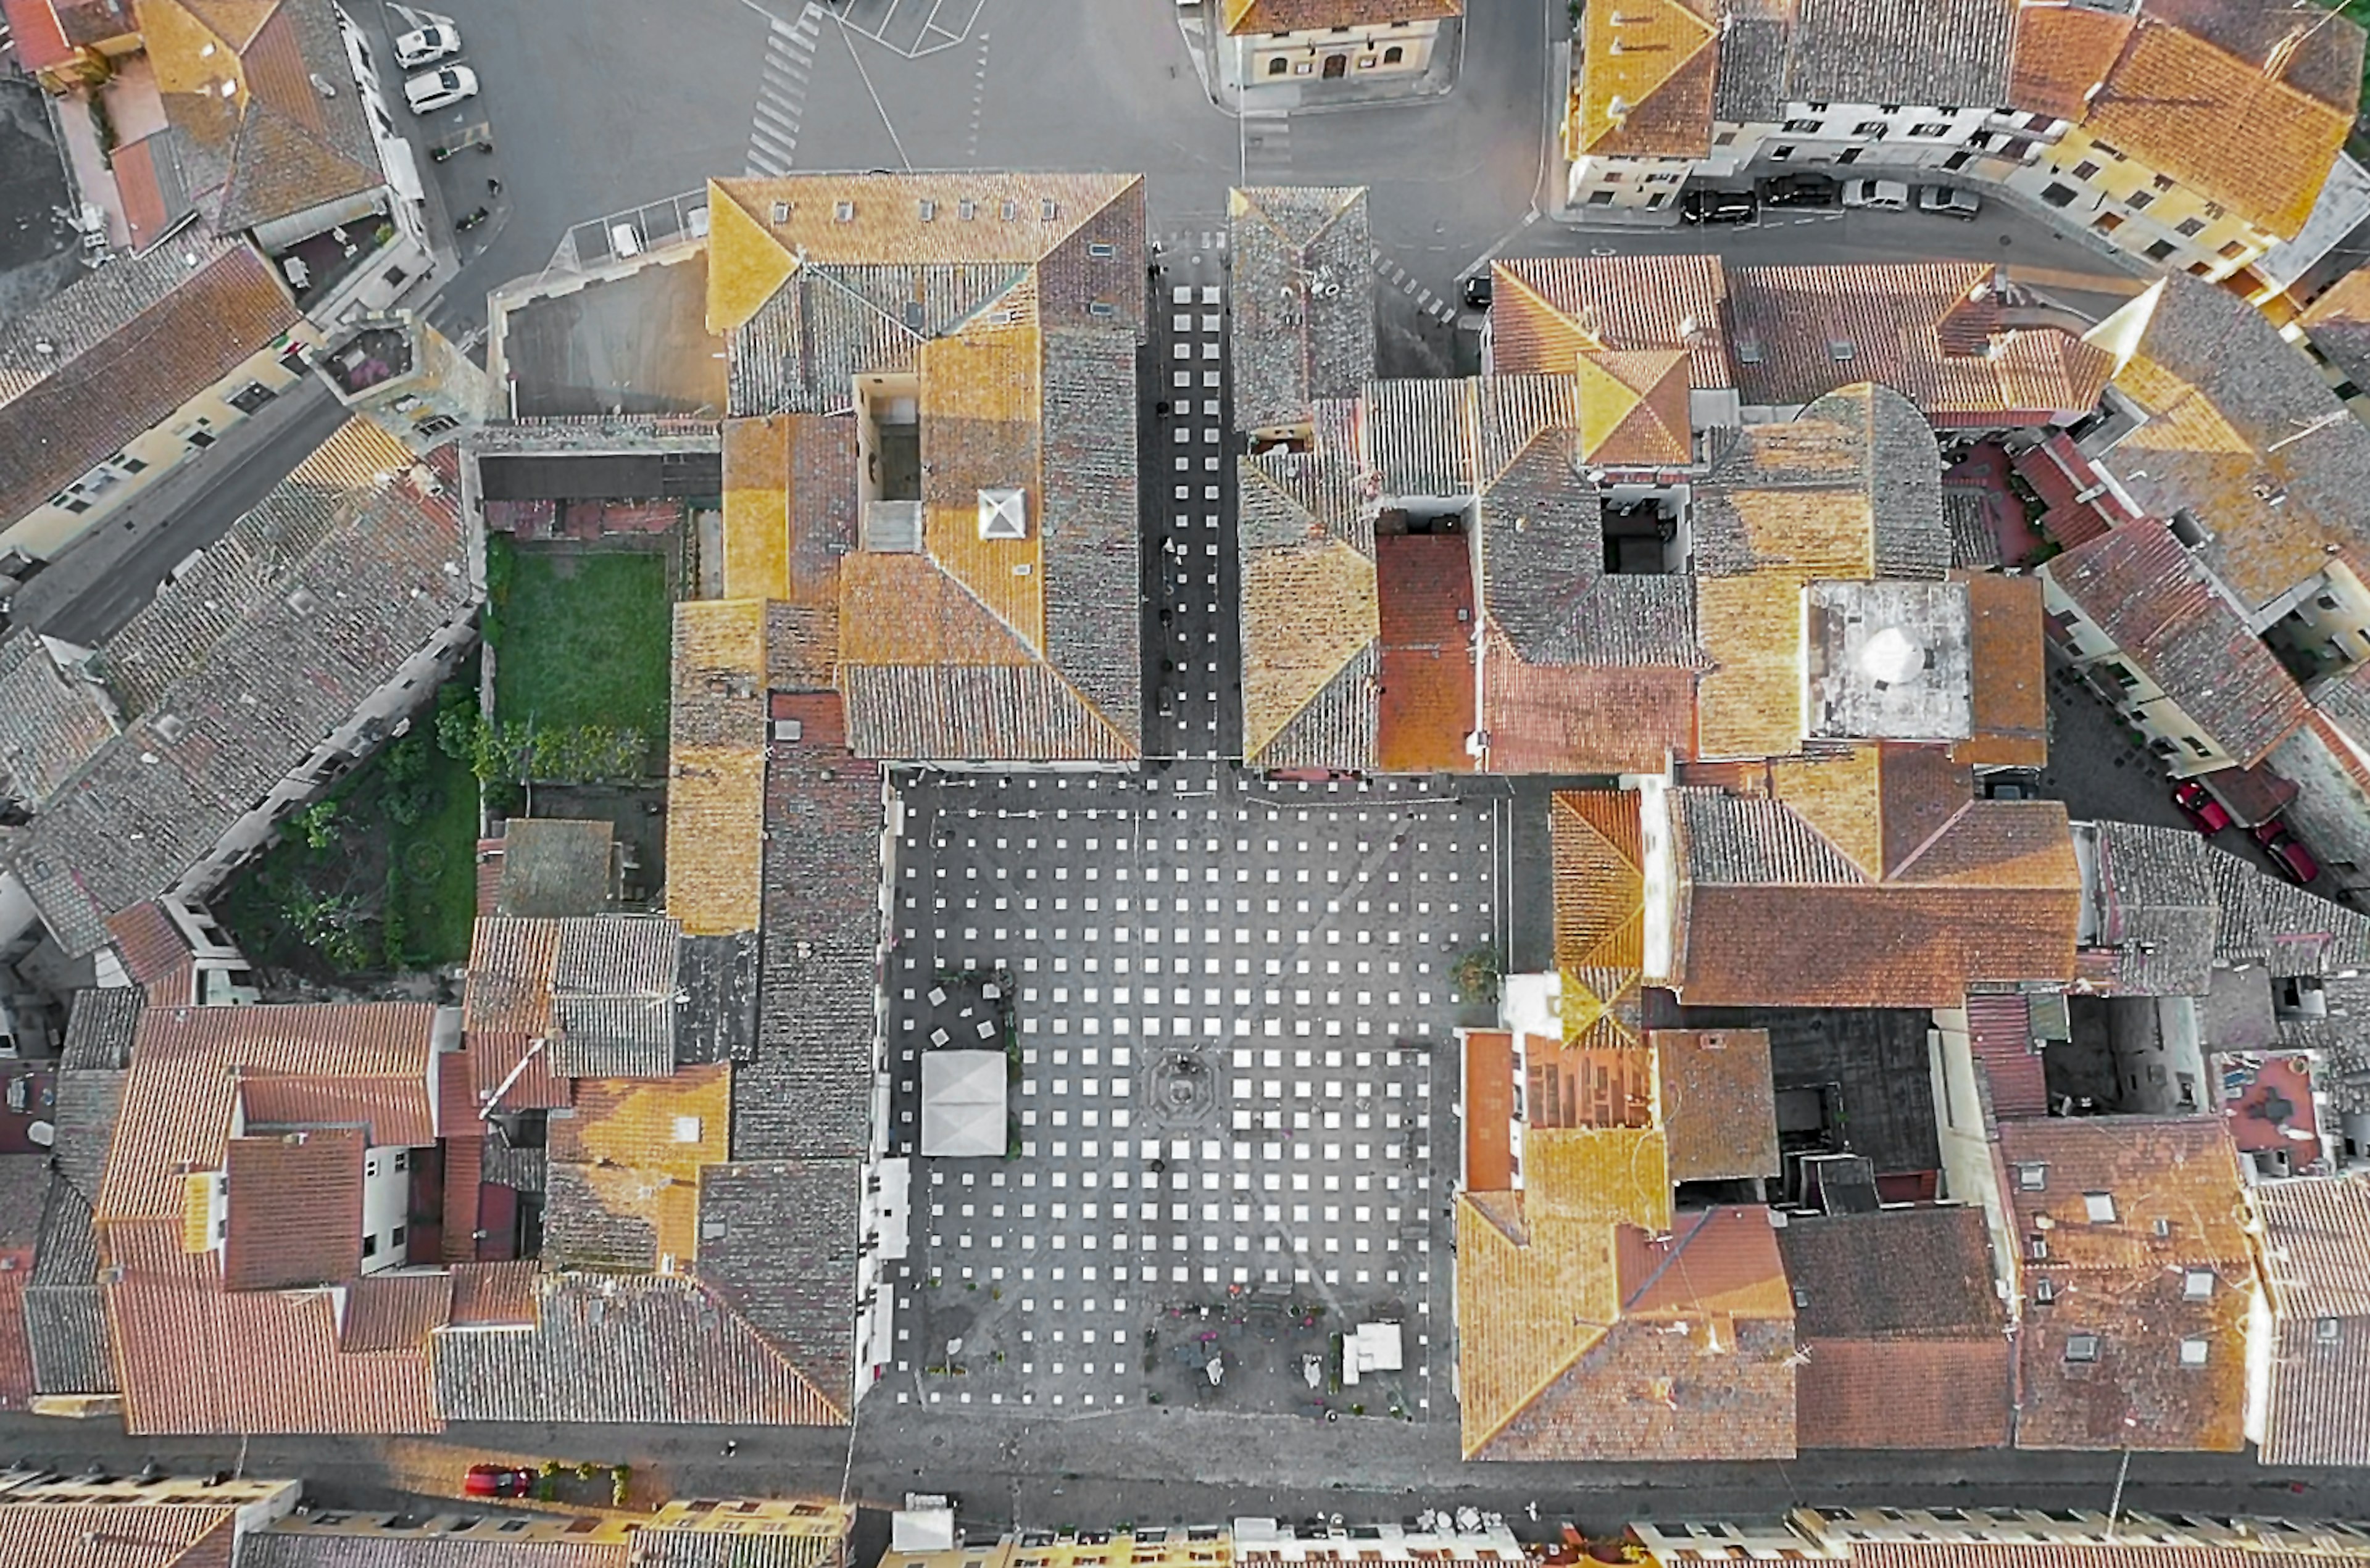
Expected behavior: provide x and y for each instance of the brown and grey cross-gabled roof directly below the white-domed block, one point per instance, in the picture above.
(1949, 889)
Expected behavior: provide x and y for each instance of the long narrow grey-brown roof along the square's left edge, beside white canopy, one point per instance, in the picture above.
(807, 1093)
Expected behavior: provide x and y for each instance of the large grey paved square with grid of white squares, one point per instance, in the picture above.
(1231, 1034)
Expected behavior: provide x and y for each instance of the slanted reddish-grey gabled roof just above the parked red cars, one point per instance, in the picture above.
(2160, 608)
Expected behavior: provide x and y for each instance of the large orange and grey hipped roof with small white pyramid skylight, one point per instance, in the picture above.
(1016, 304)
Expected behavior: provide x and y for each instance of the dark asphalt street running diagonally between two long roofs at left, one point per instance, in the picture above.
(108, 579)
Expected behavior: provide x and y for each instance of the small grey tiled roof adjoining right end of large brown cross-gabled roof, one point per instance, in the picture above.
(2158, 908)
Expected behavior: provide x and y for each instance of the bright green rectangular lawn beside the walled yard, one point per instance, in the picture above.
(582, 638)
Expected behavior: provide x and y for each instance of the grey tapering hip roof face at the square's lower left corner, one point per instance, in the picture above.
(779, 1245)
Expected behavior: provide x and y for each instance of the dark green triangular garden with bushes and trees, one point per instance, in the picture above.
(378, 878)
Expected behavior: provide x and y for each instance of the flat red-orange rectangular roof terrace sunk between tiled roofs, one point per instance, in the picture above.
(1426, 629)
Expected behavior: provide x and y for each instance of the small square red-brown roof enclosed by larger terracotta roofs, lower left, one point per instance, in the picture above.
(295, 1209)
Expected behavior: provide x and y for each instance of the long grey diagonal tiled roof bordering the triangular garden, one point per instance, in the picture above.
(340, 572)
